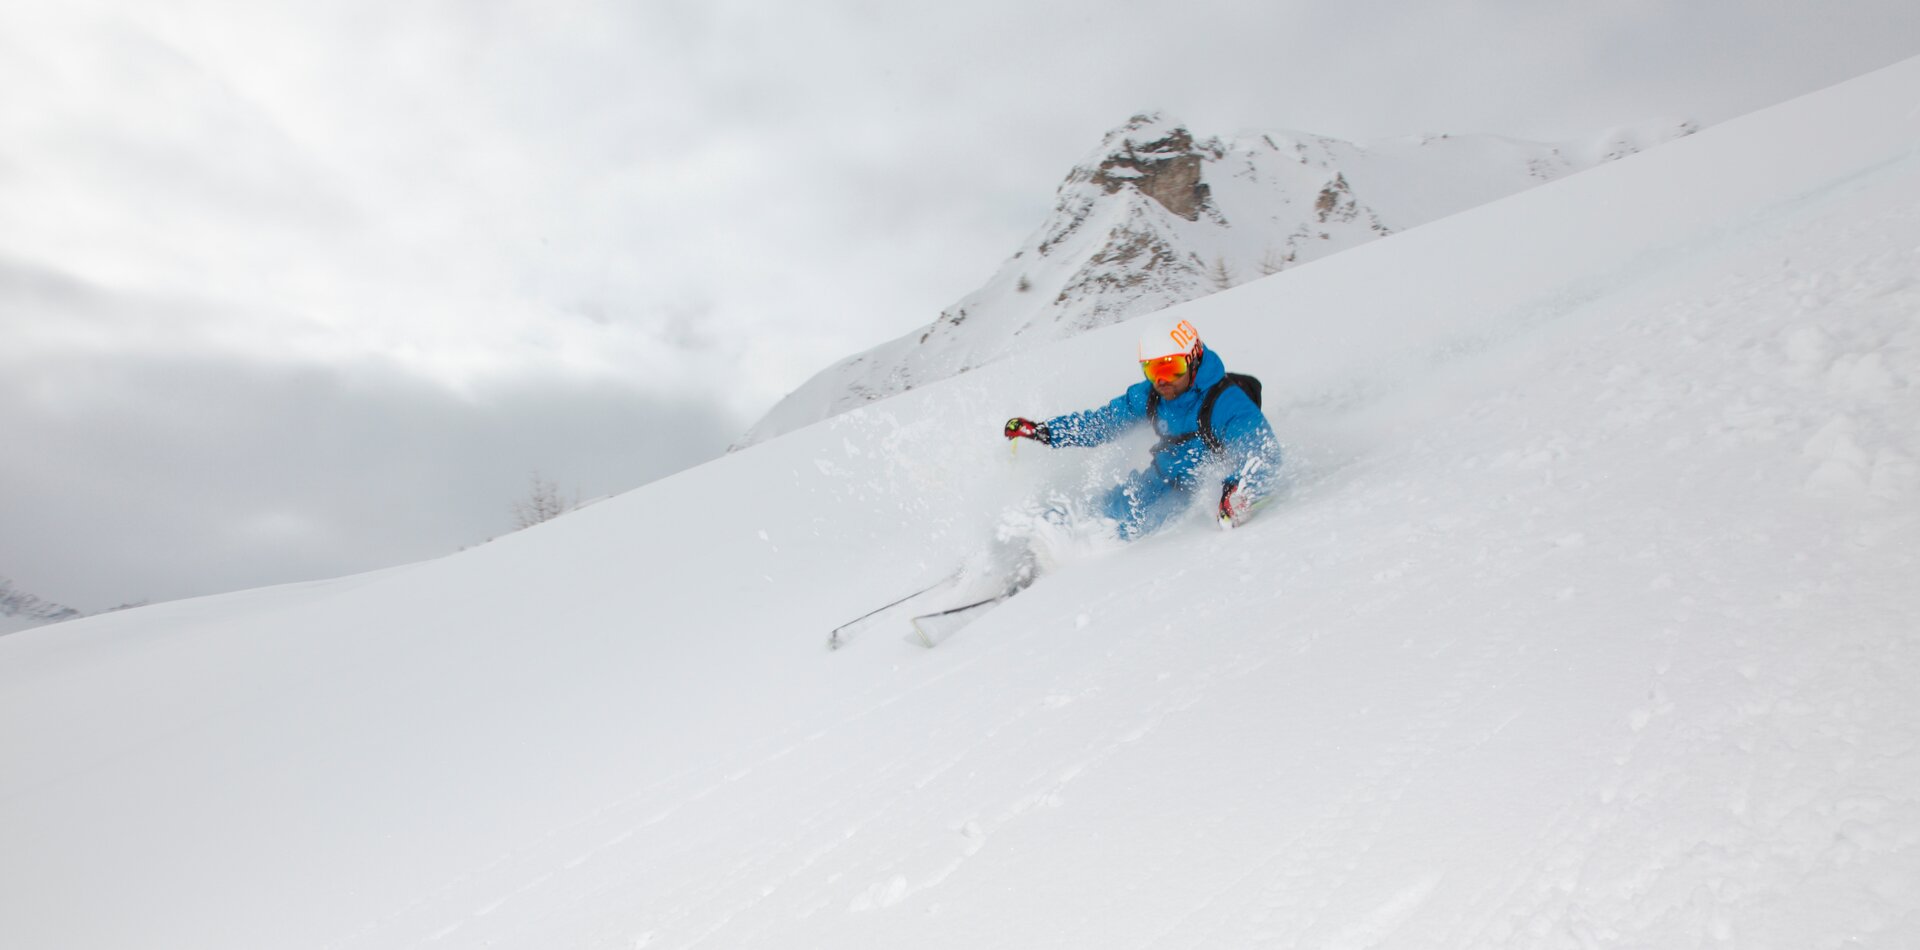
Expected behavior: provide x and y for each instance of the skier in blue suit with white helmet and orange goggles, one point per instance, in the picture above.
(1209, 425)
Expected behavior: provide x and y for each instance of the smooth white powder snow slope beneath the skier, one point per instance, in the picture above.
(1591, 623)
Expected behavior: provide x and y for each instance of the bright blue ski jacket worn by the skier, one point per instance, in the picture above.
(1251, 456)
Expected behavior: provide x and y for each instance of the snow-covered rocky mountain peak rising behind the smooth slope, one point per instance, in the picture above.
(1157, 218)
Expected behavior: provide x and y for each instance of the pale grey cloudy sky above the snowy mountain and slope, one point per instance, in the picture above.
(291, 291)
